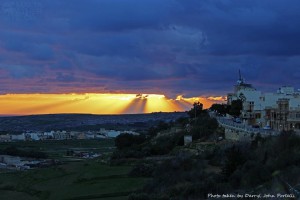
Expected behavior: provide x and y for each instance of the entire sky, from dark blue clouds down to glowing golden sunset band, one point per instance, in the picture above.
(98, 56)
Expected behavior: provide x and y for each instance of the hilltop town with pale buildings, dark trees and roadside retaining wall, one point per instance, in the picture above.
(249, 112)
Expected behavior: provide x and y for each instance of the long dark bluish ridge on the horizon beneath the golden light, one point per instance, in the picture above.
(81, 121)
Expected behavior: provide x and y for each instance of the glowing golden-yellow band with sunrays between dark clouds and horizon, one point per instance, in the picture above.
(94, 103)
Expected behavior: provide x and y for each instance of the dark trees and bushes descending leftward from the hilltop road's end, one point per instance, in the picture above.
(164, 138)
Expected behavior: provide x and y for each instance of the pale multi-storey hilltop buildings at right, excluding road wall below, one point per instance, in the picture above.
(278, 111)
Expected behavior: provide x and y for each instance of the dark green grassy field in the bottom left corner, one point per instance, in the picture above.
(76, 180)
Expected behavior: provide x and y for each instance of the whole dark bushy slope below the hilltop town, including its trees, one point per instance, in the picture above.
(262, 166)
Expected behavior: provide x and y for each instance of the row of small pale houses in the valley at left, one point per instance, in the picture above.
(63, 135)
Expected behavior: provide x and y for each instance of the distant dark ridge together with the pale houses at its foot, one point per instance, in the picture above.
(53, 127)
